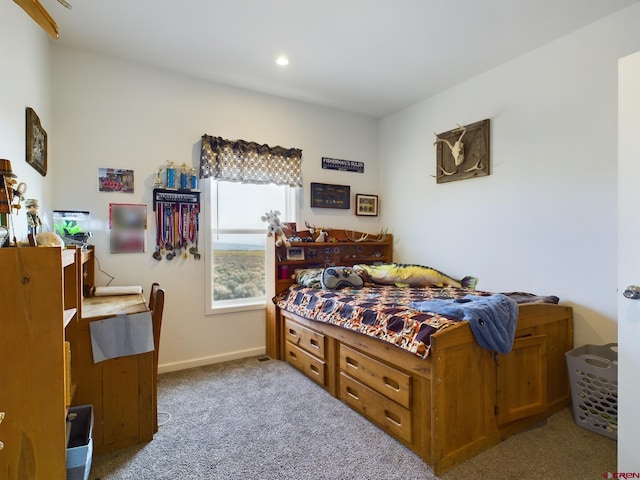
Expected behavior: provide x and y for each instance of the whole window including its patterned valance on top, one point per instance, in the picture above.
(248, 180)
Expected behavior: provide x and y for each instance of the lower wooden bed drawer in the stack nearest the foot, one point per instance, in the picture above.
(379, 409)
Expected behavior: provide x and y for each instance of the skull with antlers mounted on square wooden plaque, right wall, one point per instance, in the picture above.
(458, 160)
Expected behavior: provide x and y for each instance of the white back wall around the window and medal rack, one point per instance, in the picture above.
(115, 114)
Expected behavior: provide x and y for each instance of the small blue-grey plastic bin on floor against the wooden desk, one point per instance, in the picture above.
(80, 442)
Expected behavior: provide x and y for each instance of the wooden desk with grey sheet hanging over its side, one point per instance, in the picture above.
(120, 389)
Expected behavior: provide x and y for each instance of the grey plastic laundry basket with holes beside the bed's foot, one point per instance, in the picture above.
(593, 373)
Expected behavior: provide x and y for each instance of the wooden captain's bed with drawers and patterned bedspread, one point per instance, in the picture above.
(420, 376)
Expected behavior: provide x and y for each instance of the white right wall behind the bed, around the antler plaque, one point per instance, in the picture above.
(544, 221)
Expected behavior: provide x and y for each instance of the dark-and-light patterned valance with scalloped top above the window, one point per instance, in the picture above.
(248, 162)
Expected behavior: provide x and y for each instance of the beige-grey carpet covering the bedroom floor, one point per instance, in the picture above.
(263, 420)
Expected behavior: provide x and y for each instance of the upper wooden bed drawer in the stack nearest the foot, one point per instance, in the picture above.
(386, 380)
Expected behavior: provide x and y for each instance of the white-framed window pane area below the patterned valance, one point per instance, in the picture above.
(237, 235)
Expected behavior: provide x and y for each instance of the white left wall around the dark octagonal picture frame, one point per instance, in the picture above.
(25, 53)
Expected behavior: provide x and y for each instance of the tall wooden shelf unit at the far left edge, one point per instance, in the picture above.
(38, 314)
